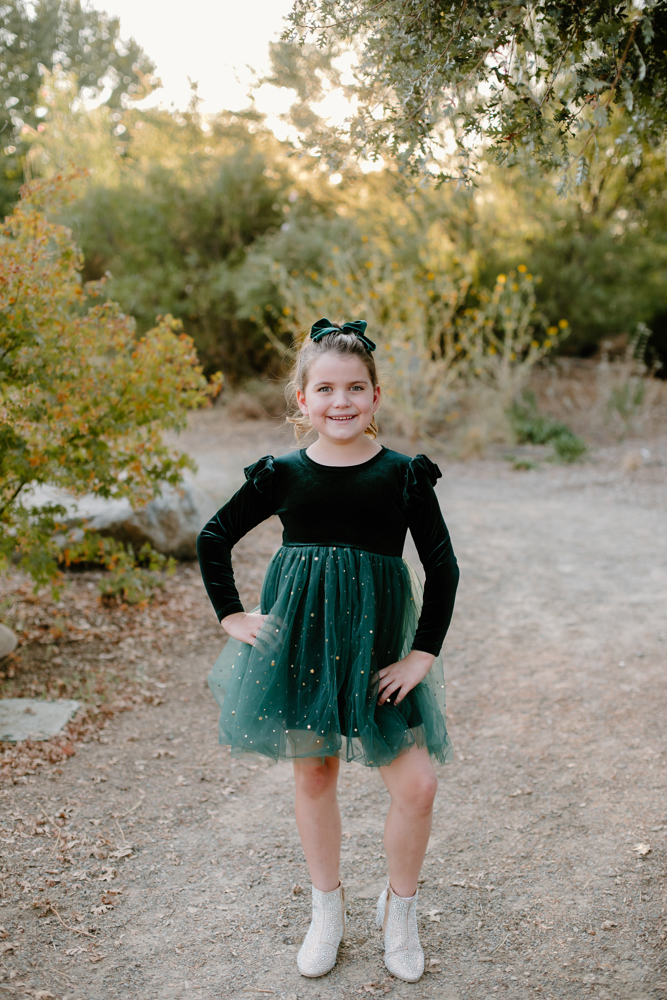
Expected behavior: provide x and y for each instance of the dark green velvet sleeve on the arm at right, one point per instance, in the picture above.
(431, 537)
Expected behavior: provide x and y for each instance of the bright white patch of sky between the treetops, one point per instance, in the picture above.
(214, 42)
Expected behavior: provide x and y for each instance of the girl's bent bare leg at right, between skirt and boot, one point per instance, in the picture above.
(412, 784)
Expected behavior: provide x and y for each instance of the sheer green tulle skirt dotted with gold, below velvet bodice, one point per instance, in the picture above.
(309, 685)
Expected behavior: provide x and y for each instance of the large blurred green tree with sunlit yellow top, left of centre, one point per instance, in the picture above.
(174, 220)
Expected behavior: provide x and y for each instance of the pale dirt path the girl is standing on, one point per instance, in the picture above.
(545, 874)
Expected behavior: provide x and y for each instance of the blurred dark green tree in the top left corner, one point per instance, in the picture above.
(38, 38)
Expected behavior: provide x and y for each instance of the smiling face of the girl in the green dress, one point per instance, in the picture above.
(339, 397)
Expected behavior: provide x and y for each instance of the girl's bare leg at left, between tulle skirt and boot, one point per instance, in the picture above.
(318, 818)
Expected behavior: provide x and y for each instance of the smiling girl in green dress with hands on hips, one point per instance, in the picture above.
(343, 660)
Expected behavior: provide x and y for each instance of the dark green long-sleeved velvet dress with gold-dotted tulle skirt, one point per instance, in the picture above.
(341, 602)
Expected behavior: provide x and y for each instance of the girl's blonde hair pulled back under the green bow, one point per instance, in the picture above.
(343, 345)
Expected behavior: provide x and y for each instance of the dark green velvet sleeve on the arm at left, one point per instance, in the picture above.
(249, 506)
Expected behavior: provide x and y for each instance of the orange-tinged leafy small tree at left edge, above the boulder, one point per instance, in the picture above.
(83, 400)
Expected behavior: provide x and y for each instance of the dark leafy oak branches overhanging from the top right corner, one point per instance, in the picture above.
(519, 76)
